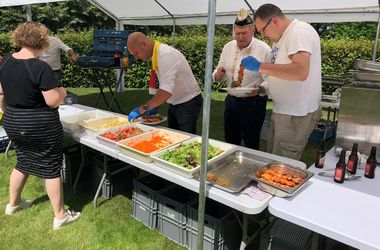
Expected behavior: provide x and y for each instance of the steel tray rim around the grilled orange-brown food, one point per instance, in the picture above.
(285, 169)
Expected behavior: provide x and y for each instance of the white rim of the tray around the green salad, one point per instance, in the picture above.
(226, 147)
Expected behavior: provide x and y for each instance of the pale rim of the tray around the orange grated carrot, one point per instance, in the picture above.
(126, 145)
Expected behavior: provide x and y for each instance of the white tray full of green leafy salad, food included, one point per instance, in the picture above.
(184, 158)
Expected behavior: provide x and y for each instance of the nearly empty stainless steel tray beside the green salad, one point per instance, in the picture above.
(233, 172)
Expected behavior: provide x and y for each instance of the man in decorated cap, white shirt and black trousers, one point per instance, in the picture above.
(243, 114)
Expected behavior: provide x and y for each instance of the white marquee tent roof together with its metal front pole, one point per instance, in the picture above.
(182, 12)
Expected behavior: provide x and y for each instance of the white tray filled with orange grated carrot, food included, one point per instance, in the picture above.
(168, 138)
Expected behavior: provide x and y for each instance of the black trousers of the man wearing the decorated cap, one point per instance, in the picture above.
(243, 120)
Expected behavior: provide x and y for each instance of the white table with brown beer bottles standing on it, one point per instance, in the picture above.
(348, 212)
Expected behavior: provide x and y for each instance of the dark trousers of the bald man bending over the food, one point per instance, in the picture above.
(184, 116)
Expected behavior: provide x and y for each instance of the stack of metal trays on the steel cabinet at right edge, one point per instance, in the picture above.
(367, 74)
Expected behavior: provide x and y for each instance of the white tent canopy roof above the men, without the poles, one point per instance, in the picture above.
(149, 12)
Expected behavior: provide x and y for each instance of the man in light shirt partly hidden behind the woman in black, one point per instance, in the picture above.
(52, 55)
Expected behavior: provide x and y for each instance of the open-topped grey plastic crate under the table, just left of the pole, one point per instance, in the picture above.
(172, 213)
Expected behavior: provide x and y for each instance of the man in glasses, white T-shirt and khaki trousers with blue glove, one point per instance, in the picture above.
(294, 81)
